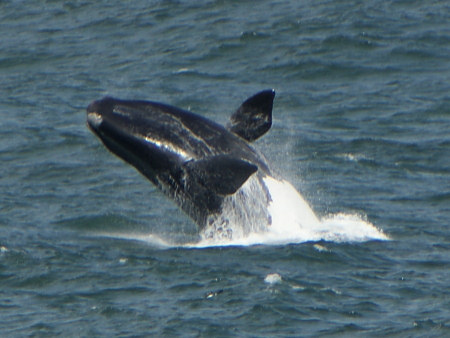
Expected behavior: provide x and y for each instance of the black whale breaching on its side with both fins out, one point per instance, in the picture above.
(198, 163)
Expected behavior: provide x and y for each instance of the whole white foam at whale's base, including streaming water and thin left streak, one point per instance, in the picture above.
(292, 221)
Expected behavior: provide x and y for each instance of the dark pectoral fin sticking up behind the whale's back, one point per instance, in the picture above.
(254, 117)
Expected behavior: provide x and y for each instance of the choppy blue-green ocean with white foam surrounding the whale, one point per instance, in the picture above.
(88, 247)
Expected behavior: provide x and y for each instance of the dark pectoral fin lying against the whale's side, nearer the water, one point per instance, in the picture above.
(221, 174)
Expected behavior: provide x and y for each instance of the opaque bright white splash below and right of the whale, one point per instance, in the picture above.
(293, 221)
